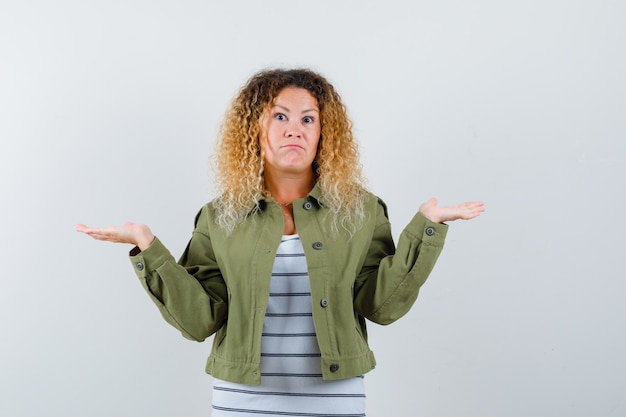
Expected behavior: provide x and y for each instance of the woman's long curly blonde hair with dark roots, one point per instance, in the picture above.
(238, 159)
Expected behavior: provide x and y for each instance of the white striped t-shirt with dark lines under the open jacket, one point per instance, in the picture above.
(291, 373)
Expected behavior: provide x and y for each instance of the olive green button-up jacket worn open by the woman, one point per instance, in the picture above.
(221, 282)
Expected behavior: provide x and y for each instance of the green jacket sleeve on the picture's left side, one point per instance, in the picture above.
(191, 294)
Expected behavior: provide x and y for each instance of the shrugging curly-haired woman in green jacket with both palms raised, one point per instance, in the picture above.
(291, 258)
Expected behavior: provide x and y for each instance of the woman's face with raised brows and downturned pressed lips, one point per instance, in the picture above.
(292, 131)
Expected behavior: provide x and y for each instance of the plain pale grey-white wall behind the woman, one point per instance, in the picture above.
(108, 112)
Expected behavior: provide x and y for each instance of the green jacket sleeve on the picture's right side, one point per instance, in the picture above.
(390, 279)
